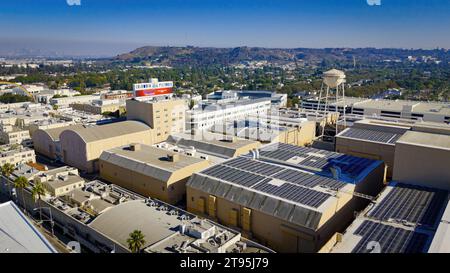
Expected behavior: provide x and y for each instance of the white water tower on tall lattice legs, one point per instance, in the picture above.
(332, 100)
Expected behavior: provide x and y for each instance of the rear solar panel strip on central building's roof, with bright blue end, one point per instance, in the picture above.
(318, 160)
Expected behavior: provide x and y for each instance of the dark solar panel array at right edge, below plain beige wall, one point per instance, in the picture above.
(411, 203)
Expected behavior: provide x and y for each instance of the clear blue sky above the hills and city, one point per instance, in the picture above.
(109, 27)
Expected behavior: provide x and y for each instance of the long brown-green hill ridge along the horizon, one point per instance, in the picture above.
(203, 56)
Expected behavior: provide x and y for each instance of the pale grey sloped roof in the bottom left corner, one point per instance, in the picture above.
(18, 234)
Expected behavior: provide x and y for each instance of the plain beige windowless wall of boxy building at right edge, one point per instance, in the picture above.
(421, 165)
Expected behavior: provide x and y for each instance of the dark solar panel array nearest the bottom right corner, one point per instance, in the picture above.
(391, 239)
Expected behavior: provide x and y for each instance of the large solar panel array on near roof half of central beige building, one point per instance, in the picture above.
(289, 184)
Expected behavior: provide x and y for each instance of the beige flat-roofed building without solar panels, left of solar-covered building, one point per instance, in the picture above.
(150, 171)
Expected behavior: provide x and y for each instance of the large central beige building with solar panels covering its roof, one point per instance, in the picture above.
(290, 198)
